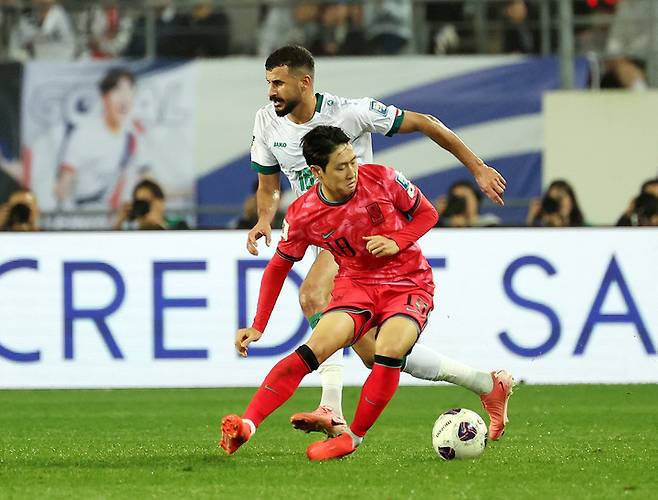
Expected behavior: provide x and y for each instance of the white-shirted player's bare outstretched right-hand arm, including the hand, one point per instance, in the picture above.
(488, 179)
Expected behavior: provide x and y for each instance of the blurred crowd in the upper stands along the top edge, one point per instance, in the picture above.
(617, 30)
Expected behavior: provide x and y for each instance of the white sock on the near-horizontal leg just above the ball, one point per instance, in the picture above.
(426, 364)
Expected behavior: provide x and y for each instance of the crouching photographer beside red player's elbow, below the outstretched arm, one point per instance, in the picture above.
(461, 208)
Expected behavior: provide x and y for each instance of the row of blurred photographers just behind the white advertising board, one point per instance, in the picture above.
(461, 207)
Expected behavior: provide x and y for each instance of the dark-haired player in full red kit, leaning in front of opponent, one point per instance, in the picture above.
(370, 218)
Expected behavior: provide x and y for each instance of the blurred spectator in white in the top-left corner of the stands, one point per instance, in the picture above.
(43, 32)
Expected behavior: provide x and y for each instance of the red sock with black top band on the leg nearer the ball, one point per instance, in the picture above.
(376, 393)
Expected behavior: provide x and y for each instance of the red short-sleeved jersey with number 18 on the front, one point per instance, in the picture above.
(382, 204)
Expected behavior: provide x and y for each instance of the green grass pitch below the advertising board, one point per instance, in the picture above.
(580, 441)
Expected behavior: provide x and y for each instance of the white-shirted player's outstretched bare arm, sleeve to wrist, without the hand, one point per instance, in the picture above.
(433, 128)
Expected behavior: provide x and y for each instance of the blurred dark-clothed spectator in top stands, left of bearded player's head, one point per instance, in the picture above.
(207, 32)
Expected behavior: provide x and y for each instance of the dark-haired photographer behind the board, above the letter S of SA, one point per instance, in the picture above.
(558, 208)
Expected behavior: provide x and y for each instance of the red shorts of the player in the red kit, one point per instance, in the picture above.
(371, 305)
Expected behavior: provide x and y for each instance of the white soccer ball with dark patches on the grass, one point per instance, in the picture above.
(459, 433)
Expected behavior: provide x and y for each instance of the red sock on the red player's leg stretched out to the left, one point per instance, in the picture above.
(276, 389)
